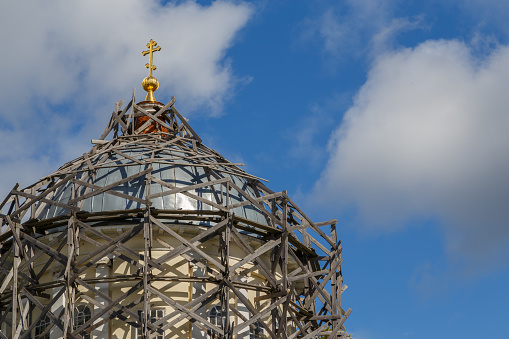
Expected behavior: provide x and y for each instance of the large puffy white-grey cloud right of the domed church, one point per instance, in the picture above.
(427, 136)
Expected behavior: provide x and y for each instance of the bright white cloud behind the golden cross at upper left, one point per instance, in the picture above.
(59, 49)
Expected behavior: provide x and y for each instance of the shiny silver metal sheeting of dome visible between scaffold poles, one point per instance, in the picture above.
(169, 164)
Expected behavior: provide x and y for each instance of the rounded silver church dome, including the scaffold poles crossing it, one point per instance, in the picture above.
(171, 160)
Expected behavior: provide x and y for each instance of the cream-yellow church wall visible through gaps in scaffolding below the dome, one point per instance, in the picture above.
(181, 292)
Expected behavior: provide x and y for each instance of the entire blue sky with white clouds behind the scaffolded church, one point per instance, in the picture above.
(390, 116)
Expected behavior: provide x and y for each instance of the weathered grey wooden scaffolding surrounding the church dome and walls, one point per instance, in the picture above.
(288, 235)
